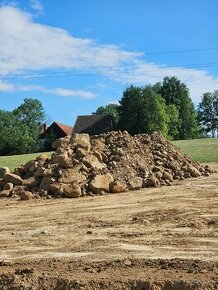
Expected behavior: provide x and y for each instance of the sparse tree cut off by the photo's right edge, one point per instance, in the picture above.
(208, 113)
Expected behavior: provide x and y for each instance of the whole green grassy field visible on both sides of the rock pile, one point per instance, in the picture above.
(202, 150)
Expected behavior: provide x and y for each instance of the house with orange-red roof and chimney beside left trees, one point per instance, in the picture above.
(50, 134)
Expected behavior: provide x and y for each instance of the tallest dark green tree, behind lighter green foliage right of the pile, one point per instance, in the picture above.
(176, 93)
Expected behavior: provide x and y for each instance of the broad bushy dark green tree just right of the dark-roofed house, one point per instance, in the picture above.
(142, 110)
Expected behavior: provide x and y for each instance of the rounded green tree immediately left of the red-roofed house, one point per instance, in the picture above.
(31, 114)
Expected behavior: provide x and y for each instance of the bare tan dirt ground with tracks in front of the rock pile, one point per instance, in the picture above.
(162, 238)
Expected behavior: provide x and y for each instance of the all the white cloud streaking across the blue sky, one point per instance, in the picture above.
(33, 48)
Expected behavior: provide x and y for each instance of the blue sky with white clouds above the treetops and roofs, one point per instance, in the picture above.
(77, 55)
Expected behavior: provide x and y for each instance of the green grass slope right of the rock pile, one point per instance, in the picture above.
(202, 150)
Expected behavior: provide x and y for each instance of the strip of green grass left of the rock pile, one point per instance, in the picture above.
(16, 160)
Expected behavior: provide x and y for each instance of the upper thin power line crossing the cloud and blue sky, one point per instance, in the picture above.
(118, 54)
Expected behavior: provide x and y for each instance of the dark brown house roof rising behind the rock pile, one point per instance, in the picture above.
(93, 124)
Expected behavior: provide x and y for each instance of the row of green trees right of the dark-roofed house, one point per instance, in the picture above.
(165, 107)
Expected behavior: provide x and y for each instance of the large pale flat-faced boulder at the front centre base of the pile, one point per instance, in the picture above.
(101, 183)
